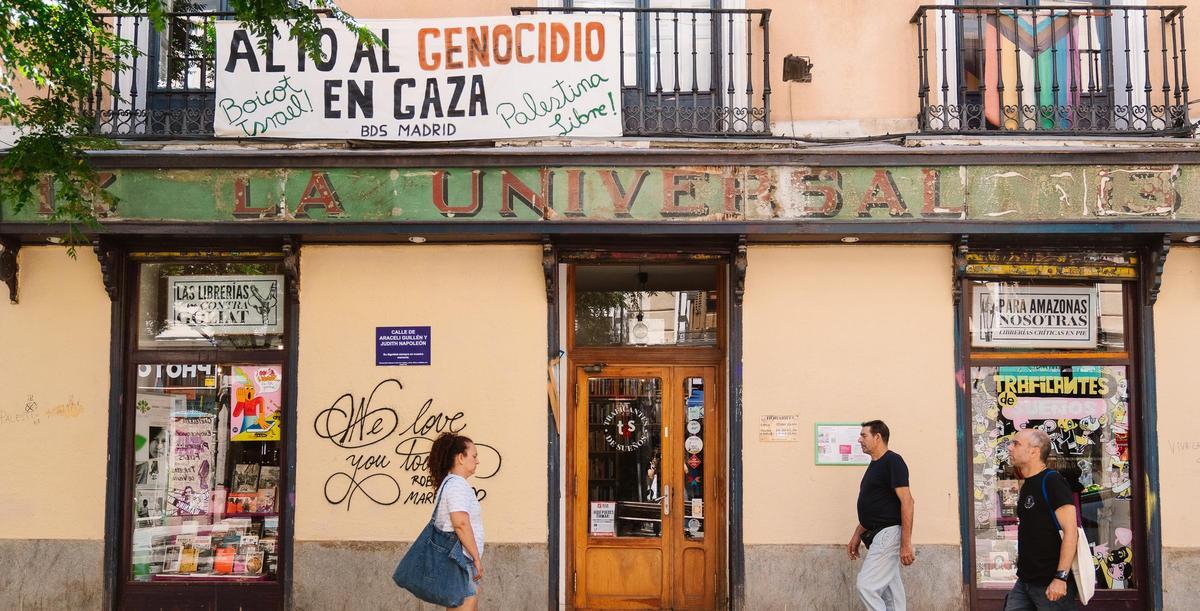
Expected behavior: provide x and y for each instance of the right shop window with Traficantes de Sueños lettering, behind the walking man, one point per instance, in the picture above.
(1048, 350)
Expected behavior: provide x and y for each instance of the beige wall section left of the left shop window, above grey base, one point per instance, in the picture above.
(55, 399)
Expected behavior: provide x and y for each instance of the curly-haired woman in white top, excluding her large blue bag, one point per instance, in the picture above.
(452, 462)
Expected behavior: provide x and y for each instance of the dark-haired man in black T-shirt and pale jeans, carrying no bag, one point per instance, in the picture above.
(885, 523)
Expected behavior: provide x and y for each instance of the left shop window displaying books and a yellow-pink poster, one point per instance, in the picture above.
(207, 415)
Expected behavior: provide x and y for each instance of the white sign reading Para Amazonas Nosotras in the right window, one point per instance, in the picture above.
(1035, 318)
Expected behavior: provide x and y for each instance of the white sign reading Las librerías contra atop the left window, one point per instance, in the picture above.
(224, 305)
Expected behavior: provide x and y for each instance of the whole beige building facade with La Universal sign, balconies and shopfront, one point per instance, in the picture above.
(964, 219)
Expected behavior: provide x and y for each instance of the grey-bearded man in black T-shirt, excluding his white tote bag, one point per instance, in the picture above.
(1043, 558)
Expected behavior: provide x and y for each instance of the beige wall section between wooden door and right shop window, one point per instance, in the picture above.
(841, 334)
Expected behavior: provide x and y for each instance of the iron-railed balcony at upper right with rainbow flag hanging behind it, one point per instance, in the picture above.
(1069, 69)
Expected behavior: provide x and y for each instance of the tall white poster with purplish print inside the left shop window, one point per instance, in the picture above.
(193, 450)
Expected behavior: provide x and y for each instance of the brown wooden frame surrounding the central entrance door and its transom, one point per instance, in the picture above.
(716, 357)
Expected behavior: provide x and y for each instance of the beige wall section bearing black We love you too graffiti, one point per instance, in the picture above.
(488, 310)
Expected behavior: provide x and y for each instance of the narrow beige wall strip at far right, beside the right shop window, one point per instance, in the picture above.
(1177, 338)
